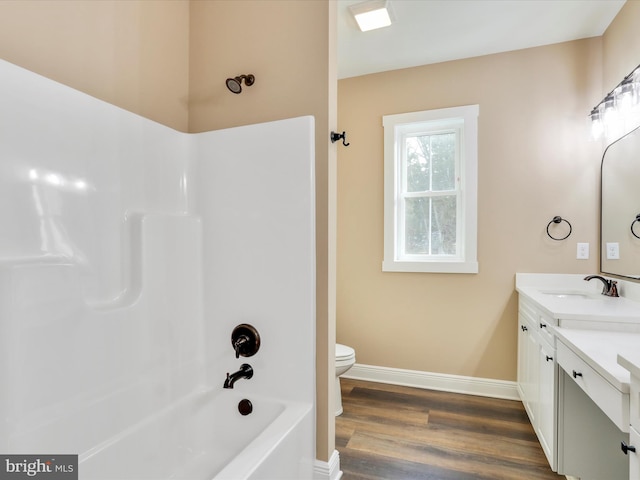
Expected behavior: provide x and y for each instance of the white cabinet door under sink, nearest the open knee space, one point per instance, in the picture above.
(547, 406)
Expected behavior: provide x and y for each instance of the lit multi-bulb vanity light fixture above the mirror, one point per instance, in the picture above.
(619, 111)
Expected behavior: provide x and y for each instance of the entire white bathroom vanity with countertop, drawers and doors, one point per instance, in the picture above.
(571, 379)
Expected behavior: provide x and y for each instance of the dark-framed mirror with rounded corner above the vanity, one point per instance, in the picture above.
(620, 205)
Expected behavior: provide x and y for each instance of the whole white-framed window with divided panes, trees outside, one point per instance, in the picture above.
(430, 191)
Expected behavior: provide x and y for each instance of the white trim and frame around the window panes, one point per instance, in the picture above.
(466, 261)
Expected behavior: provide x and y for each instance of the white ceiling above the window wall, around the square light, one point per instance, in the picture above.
(433, 31)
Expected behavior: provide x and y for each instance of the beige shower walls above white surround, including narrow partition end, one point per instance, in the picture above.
(168, 60)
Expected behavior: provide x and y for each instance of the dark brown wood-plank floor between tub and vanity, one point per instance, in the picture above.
(389, 432)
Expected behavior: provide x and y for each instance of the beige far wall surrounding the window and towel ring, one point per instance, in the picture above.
(535, 162)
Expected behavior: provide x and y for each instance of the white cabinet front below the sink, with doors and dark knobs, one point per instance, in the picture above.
(538, 375)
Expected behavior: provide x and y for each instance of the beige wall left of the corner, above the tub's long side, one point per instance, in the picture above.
(134, 54)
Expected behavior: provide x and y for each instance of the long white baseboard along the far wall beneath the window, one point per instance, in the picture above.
(484, 387)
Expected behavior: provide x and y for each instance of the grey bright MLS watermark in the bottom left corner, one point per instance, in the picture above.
(46, 467)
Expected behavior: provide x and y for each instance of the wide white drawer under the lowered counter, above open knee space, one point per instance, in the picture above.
(609, 399)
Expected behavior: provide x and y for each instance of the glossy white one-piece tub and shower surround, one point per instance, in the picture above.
(128, 253)
